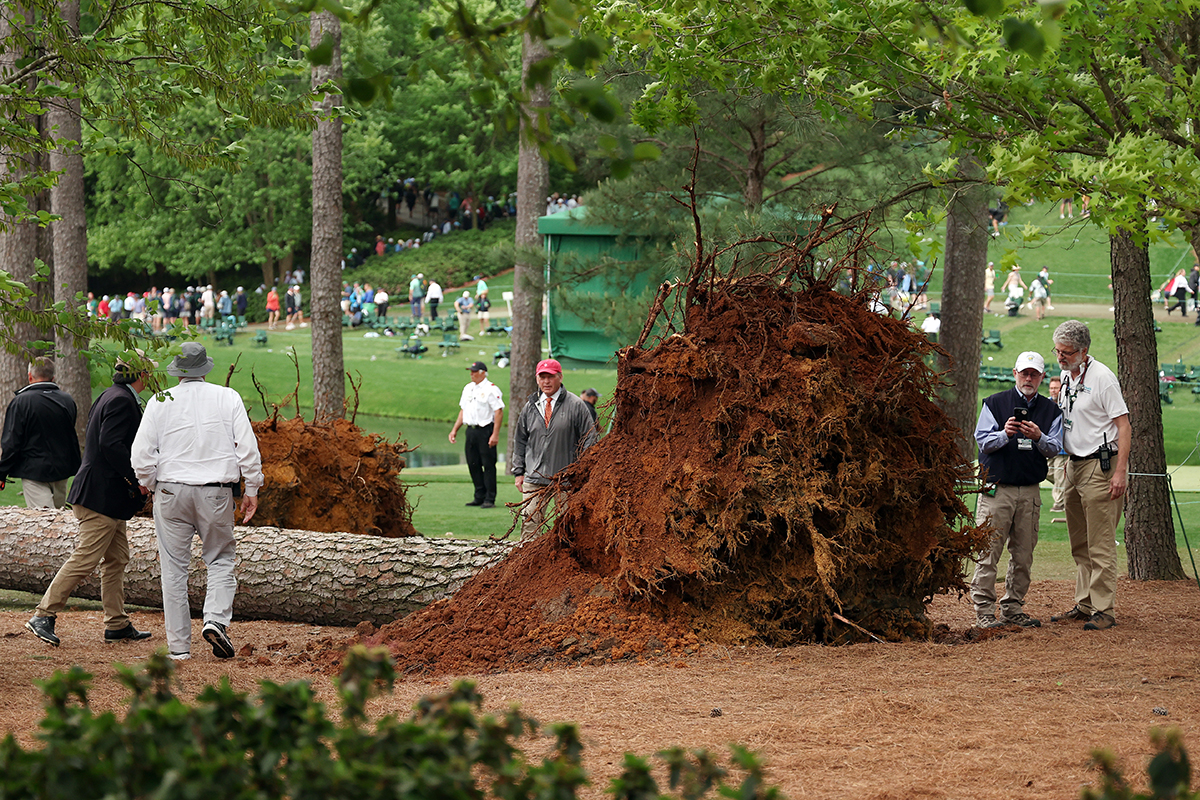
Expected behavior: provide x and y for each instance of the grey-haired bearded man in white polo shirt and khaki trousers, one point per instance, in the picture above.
(1097, 438)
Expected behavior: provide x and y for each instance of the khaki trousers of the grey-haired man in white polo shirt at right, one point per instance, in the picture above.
(1093, 526)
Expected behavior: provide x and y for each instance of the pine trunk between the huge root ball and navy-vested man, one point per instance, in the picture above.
(963, 273)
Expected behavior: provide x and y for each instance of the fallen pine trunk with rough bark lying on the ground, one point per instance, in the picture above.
(286, 575)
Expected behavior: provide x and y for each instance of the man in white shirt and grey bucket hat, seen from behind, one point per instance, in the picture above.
(191, 450)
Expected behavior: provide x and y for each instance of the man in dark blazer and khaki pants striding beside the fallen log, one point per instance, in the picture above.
(105, 495)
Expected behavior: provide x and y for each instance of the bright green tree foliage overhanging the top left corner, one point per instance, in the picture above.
(135, 67)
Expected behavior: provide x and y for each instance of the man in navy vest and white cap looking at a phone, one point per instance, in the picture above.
(1018, 432)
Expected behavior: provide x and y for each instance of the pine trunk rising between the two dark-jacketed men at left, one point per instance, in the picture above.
(70, 237)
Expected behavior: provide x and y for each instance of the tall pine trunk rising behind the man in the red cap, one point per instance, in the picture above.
(529, 276)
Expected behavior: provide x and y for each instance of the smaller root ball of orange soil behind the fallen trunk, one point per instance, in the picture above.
(332, 477)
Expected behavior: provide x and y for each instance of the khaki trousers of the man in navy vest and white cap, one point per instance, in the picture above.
(1015, 514)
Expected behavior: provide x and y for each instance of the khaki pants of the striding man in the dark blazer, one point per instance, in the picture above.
(101, 542)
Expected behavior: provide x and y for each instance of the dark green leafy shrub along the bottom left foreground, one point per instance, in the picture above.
(281, 744)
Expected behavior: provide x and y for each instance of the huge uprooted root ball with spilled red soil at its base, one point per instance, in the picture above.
(777, 466)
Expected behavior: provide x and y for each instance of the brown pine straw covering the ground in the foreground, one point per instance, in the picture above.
(1015, 714)
